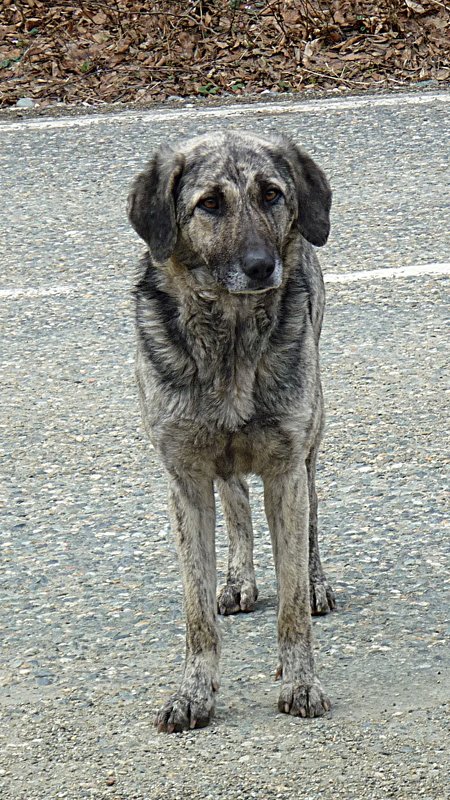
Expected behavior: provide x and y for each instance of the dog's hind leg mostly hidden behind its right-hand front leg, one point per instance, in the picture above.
(321, 594)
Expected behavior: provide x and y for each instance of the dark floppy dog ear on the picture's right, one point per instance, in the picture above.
(313, 194)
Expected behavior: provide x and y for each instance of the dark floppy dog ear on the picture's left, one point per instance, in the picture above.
(151, 203)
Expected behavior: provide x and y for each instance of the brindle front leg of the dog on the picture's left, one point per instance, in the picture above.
(192, 512)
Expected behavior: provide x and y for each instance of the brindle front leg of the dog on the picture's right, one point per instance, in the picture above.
(287, 509)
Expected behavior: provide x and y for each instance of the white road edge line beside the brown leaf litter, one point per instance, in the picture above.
(247, 109)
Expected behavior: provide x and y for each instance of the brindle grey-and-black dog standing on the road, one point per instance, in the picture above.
(229, 306)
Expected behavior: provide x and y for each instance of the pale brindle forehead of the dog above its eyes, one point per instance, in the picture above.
(228, 156)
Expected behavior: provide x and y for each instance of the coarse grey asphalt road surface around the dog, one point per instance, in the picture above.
(92, 631)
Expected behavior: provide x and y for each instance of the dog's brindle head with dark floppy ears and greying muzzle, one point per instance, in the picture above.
(226, 206)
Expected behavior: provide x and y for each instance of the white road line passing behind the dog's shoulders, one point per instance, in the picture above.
(330, 277)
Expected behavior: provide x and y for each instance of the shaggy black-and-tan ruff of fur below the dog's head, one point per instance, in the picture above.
(213, 348)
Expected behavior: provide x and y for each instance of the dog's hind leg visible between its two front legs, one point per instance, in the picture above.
(240, 592)
